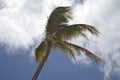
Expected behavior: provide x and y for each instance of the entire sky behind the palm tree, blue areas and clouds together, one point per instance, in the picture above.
(22, 25)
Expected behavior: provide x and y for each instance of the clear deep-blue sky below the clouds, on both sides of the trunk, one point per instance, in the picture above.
(59, 67)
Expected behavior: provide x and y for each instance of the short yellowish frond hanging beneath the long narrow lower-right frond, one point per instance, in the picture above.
(67, 50)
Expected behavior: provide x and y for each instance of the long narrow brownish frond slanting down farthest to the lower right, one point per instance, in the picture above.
(87, 52)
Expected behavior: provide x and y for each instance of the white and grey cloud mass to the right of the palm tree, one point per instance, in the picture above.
(105, 15)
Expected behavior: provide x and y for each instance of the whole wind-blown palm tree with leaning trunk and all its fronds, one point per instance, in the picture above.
(58, 32)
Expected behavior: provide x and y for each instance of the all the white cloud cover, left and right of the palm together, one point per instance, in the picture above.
(22, 22)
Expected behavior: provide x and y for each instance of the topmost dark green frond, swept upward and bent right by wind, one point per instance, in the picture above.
(59, 16)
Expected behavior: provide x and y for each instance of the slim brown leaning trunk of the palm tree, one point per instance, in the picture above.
(42, 62)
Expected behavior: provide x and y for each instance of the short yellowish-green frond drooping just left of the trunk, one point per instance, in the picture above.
(40, 51)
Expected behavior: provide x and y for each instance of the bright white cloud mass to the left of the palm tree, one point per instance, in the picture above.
(19, 24)
